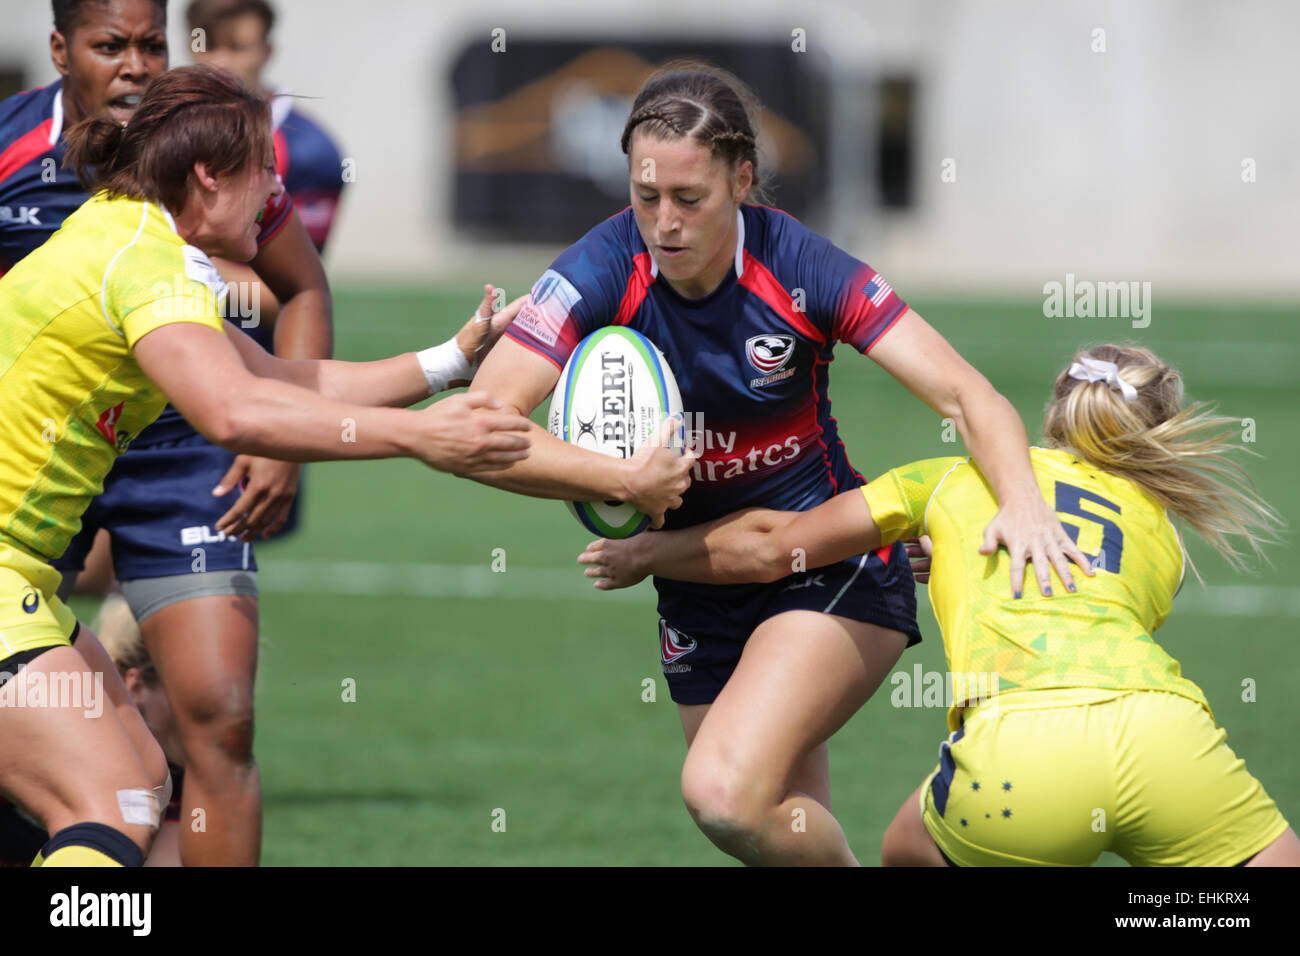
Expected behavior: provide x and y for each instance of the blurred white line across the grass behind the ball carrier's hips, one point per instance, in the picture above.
(417, 579)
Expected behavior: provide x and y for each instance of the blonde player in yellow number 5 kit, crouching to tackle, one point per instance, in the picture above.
(1073, 733)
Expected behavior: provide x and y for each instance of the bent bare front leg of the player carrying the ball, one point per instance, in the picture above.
(800, 678)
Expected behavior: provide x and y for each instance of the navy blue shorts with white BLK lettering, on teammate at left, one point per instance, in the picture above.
(159, 508)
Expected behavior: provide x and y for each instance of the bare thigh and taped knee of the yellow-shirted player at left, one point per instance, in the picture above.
(68, 765)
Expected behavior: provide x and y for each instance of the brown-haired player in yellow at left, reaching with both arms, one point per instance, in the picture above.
(118, 314)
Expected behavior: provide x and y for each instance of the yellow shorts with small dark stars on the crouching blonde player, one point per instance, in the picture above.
(1054, 778)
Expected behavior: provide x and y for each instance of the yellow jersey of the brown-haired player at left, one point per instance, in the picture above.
(73, 395)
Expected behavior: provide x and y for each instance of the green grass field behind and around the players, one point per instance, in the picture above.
(523, 691)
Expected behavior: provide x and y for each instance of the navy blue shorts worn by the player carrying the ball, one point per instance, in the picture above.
(704, 629)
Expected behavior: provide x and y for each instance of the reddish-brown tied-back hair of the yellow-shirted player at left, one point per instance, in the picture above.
(189, 115)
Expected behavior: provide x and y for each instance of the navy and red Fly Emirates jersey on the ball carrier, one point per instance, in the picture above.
(752, 360)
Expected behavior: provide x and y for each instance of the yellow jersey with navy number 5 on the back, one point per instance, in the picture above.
(1098, 638)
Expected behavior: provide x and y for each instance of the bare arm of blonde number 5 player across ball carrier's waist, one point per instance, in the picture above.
(755, 546)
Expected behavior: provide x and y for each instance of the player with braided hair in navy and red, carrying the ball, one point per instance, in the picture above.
(747, 305)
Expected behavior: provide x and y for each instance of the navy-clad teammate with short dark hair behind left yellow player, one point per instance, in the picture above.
(200, 617)
